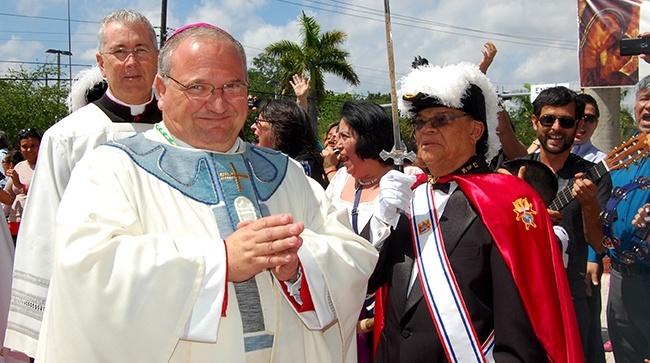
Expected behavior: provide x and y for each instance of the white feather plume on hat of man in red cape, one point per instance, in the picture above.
(449, 84)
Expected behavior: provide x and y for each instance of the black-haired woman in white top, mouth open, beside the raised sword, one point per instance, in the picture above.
(365, 129)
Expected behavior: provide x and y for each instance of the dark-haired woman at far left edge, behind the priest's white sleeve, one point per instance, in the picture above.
(20, 176)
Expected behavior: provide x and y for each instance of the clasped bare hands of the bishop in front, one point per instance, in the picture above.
(267, 243)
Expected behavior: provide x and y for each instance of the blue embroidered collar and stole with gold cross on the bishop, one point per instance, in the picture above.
(235, 186)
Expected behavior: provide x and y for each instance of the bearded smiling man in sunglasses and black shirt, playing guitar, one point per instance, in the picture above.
(556, 115)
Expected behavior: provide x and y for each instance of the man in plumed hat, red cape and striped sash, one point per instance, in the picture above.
(475, 272)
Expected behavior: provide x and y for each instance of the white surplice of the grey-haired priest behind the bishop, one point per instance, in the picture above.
(62, 146)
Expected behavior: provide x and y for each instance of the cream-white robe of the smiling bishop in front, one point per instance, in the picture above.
(139, 264)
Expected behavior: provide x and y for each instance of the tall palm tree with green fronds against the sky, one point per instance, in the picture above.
(316, 55)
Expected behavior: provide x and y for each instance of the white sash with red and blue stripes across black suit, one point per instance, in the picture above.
(439, 286)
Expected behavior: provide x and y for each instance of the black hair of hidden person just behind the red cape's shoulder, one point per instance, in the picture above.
(538, 175)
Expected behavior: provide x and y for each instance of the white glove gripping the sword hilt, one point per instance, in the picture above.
(394, 197)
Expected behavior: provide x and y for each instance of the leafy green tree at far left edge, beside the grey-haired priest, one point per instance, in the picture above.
(27, 101)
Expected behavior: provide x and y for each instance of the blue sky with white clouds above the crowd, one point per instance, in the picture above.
(537, 40)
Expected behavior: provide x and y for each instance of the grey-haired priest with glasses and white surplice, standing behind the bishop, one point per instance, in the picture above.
(127, 56)
